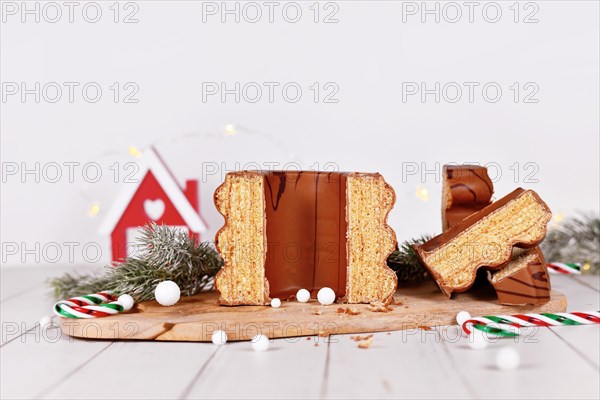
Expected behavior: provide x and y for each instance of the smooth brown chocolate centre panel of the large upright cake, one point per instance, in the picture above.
(306, 232)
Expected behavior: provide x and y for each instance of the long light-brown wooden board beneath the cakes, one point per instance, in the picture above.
(194, 318)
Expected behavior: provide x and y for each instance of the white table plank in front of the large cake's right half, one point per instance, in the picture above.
(401, 365)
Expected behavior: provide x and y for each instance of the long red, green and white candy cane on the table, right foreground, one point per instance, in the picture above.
(509, 325)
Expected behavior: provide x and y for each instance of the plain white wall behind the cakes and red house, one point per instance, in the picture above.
(369, 53)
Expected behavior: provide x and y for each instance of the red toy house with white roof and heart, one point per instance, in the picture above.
(158, 197)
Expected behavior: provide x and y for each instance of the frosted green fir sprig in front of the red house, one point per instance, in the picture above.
(164, 254)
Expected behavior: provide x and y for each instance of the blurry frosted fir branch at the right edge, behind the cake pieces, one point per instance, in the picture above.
(575, 240)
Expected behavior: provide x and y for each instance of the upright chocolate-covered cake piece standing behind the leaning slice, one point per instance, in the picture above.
(466, 189)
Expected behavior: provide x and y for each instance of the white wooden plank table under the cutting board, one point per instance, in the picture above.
(562, 362)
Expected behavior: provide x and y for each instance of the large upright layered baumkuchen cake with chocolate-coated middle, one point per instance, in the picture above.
(285, 231)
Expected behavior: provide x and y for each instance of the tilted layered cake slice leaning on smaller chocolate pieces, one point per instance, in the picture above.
(485, 238)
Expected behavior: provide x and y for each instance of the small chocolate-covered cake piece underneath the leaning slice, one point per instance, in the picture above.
(524, 280)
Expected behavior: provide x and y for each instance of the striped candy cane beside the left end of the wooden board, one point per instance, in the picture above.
(89, 306)
